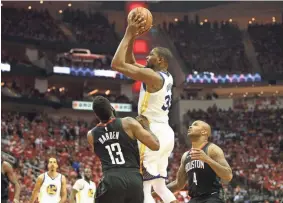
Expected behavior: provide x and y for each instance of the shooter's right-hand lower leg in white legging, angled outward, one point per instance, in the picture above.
(159, 186)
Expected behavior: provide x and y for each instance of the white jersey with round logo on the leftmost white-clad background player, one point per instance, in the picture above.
(50, 189)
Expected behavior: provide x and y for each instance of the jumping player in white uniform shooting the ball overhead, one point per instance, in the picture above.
(154, 103)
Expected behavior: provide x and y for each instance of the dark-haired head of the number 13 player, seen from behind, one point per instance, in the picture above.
(102, 108)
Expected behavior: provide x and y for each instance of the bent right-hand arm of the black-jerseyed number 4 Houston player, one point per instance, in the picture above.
(219, 164)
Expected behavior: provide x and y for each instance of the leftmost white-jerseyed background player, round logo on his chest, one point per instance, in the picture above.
(50, 186)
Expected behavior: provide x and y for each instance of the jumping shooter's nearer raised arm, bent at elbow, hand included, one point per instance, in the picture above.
(146, 75)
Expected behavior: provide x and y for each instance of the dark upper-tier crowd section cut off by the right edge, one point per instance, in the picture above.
(268, 42)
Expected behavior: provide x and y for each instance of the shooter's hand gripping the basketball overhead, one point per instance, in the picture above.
(136, 25)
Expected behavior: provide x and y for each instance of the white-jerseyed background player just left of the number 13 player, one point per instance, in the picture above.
(84, 189)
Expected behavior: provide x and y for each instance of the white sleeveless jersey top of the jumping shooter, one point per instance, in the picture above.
(155, 106)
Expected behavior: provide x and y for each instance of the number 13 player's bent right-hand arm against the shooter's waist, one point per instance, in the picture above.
(142, 133)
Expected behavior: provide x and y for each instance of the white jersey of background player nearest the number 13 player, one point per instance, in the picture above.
(86, 192)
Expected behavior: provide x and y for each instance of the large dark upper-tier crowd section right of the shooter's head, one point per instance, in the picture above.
(213, 47)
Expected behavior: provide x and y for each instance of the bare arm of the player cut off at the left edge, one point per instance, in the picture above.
(13, 179)
